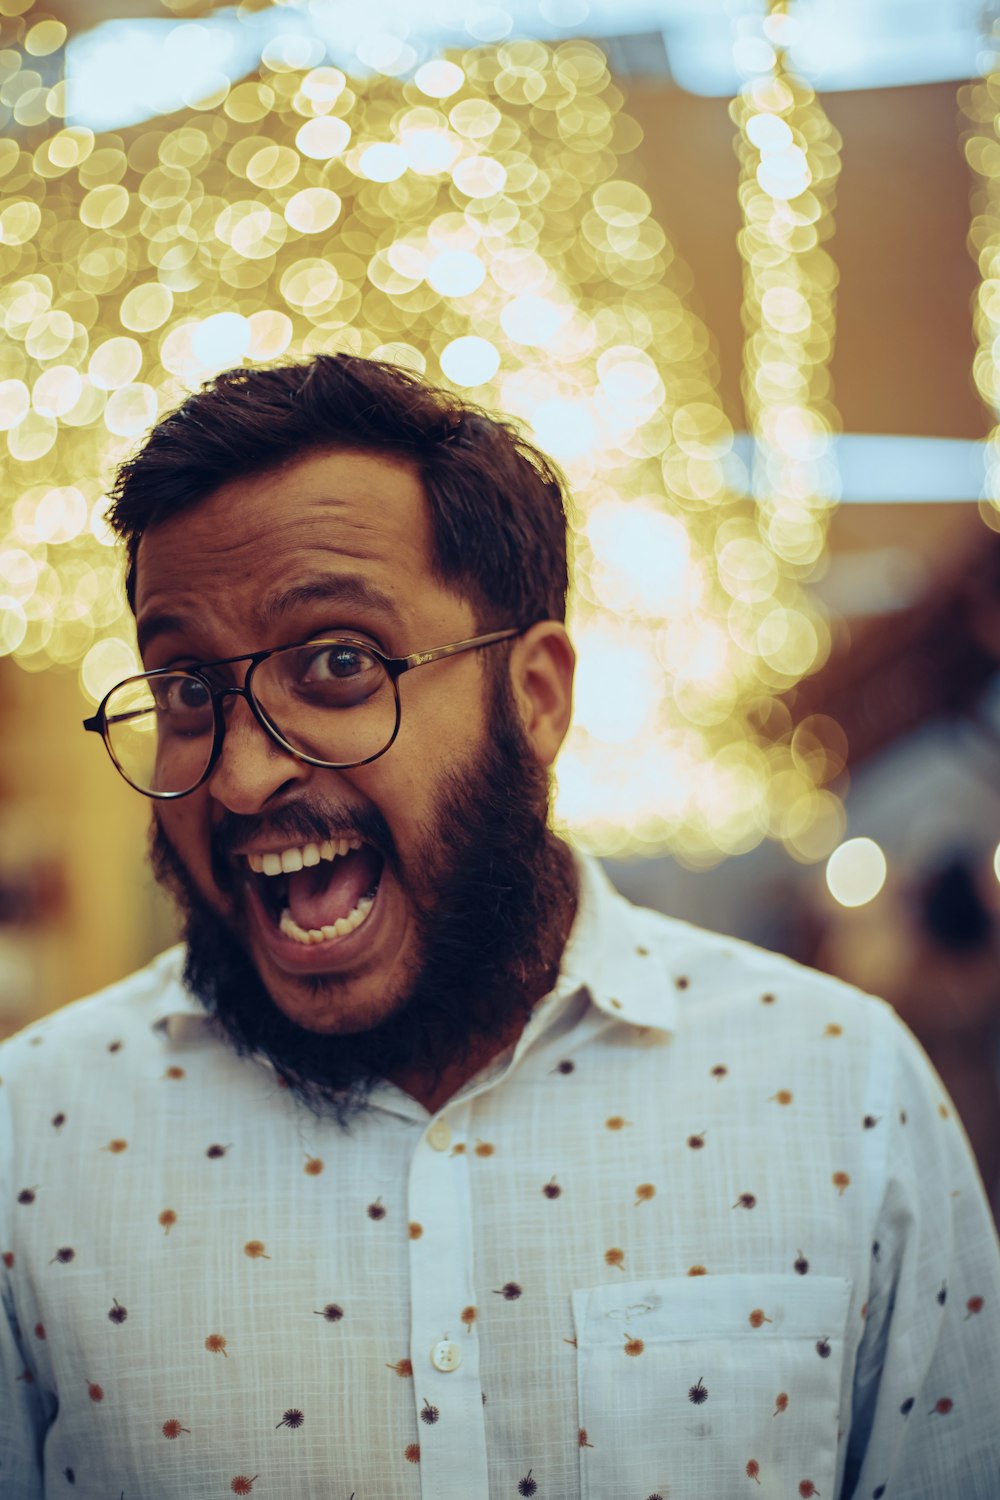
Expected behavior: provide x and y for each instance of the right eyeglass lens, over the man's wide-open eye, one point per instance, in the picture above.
(329, 700)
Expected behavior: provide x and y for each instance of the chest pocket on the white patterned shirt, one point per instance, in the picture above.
(719, 1387)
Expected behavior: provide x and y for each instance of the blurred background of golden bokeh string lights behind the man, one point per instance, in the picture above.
(737, 266)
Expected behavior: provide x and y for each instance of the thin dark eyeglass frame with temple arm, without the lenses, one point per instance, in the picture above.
(394, 667)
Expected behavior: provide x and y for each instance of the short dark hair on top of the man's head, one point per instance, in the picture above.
(497, 505)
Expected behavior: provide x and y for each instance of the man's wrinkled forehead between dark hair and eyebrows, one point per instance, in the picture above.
(338, 523)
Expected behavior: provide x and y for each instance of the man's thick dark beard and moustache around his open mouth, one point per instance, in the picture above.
(493, 892)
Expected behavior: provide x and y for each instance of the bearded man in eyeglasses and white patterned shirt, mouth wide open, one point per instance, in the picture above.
(431, 1166)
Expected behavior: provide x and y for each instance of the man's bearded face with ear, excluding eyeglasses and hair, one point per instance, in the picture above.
(455, 896)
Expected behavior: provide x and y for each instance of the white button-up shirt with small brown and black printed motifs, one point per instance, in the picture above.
(710, 1231)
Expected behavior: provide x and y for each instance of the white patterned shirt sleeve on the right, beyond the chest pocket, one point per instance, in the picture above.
(926, 1415)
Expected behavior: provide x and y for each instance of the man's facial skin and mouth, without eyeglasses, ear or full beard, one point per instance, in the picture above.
(335, 544)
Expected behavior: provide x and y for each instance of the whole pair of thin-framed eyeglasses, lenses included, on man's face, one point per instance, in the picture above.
(331, 703)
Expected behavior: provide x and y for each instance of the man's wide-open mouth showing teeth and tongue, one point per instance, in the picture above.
(317, 892)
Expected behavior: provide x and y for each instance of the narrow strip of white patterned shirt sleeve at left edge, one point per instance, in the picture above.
(22, 1414)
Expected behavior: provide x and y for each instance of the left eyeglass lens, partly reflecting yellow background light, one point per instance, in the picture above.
(161, 731)
